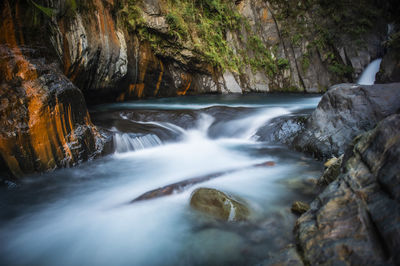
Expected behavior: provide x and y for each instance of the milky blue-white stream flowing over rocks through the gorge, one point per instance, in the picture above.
(82, 215)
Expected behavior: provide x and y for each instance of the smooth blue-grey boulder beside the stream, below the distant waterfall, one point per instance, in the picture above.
(344, 112)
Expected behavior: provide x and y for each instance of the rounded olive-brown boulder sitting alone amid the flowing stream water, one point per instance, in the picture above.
(218, 204)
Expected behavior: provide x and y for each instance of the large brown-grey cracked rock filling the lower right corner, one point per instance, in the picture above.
(356, 219)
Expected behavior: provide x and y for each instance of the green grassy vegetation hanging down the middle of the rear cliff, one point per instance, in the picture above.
(202, 26)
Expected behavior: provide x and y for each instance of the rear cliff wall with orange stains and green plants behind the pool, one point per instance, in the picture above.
(125, 49)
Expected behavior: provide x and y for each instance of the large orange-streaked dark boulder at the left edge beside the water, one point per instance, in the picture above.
(44, 122)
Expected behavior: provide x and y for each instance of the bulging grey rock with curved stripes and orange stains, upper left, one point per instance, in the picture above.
(92, 48)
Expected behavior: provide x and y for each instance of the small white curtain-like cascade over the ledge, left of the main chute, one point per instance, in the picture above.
(124, 142)
